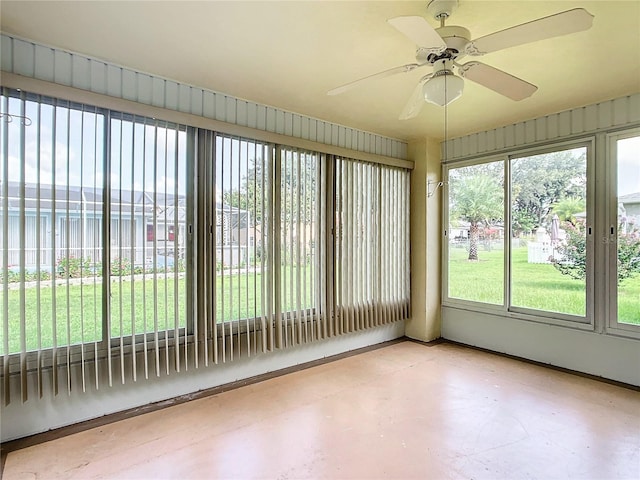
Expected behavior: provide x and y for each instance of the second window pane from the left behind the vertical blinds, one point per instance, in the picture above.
(147, 187)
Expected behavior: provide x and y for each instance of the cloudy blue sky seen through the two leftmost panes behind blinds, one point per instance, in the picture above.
(70, 151)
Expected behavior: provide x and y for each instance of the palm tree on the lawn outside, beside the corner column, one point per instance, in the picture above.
(476, 199)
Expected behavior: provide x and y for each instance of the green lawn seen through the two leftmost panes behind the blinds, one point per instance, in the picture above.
(76, 316)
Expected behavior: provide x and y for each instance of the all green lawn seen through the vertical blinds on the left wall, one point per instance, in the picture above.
(136, 307)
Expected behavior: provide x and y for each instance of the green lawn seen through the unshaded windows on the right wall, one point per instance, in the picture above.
(536, 286)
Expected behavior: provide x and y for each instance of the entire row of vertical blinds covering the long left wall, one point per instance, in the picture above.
(133, 247)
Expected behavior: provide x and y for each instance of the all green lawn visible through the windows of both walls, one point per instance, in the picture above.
(146, 306)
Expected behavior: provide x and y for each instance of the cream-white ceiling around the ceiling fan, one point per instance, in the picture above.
(289, 54)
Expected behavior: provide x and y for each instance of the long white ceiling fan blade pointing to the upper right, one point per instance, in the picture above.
(563, 23)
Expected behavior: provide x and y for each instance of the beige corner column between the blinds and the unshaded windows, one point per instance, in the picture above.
(426, 214)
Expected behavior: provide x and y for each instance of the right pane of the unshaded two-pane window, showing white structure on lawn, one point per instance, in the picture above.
(549, 231)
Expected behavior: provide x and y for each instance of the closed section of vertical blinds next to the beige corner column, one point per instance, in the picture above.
(371, 245)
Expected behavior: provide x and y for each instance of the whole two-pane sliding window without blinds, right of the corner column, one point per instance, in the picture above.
(545, 234)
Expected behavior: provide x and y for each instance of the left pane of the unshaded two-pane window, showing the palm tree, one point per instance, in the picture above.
(476, 233)
